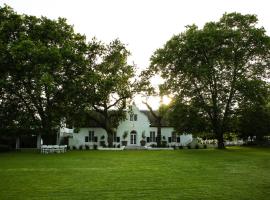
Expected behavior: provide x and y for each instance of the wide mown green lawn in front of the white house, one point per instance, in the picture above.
(235, 173)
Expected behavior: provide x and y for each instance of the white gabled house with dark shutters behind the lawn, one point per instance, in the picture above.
(138, 126)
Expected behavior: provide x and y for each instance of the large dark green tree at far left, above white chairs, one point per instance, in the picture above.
(40, 61)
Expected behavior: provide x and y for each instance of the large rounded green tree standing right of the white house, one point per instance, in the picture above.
(210, 66)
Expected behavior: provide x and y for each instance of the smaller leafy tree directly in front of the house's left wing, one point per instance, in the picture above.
(104, 99)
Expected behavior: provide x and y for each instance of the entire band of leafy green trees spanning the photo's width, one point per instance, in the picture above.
(218, 77)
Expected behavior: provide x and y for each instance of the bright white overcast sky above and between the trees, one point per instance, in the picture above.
(143, 25)
